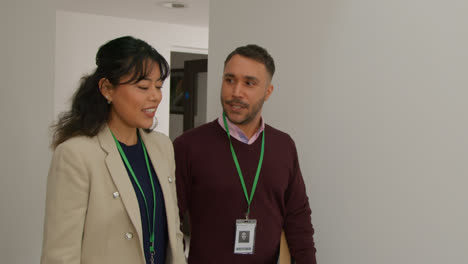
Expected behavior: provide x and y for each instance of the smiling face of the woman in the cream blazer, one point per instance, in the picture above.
(134, 104)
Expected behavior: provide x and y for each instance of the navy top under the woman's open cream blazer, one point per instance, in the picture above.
(136, 158)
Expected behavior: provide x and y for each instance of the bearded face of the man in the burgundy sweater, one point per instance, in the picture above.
(246, 86)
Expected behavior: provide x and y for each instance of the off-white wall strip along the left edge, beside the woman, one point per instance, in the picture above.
(26, 110)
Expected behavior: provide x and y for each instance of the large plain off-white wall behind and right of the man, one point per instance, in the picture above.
(375, 95)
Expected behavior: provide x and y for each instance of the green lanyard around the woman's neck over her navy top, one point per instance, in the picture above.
(124, 157)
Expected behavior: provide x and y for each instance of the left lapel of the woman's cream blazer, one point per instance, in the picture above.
(121, 179)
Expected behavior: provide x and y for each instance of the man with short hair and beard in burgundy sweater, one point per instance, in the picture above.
(237, 174)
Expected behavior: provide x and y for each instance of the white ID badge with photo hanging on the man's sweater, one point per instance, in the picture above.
(245, 236)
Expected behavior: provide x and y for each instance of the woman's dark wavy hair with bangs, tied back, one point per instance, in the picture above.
(115, 59)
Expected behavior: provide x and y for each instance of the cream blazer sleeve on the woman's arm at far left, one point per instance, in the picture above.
(66, 204)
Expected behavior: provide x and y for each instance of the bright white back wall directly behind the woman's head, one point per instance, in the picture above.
(80, 35)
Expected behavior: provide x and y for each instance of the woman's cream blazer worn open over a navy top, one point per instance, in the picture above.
(92, 213)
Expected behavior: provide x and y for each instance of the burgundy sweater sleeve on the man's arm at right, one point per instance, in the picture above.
(298, 225)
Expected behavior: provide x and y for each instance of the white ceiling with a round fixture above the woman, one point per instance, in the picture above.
(196, 13)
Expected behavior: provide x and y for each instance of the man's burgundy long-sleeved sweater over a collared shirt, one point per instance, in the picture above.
(208, 187)
